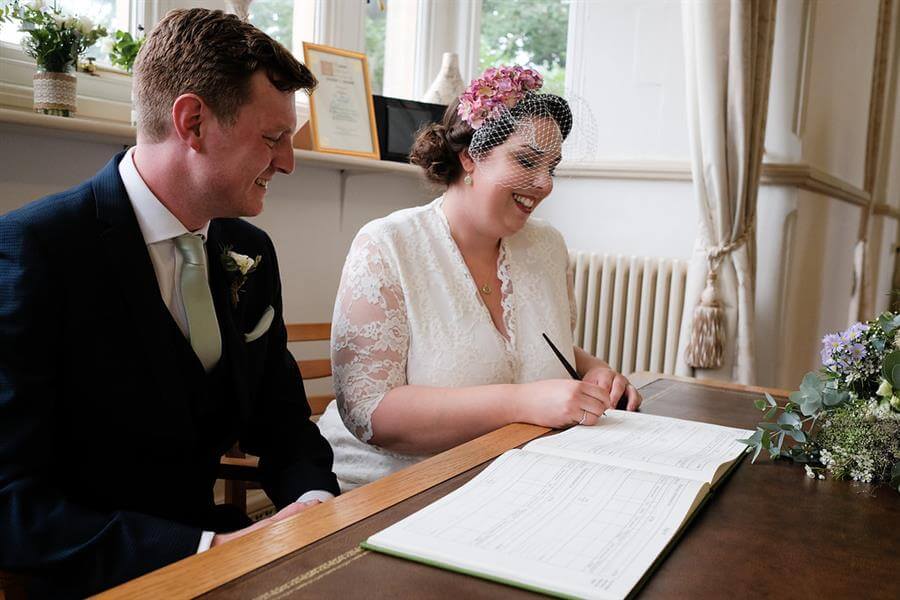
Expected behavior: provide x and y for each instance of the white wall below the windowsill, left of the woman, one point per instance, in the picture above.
(302, 210)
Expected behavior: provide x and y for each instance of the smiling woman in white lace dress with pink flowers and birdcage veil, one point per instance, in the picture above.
(436, 335)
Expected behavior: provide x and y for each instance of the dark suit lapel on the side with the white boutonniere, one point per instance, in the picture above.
(232, 338)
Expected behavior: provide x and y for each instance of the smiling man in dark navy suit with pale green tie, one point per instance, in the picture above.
(141, 327)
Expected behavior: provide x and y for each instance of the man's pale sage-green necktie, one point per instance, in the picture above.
(201, 314)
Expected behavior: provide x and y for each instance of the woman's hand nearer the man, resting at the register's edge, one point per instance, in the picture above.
(561, 403)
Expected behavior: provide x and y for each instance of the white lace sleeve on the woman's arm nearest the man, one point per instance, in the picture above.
(369, 335)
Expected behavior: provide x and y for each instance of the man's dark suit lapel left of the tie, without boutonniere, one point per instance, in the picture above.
(130, 266)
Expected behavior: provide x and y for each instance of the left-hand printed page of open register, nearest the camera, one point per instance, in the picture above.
(573, 527)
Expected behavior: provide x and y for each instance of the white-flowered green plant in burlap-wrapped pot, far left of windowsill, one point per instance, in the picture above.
(55, 41)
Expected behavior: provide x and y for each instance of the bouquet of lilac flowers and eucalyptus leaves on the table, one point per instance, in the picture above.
(845, 419)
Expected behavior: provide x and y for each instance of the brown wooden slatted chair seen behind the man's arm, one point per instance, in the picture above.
(239, 470)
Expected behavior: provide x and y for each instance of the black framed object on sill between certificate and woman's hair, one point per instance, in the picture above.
(398, 121)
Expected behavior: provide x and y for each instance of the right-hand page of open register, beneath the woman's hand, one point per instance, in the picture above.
(648, 442)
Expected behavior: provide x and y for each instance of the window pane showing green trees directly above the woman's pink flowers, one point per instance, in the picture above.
(529, 33)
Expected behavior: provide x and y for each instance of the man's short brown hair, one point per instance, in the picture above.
(211, 54)
